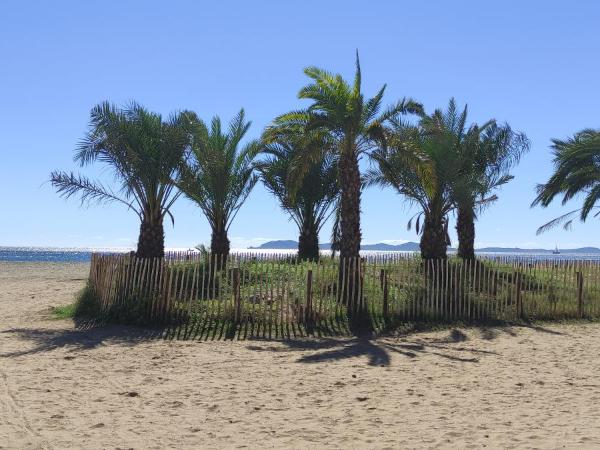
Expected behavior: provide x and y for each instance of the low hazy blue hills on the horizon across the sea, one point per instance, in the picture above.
(414, 247)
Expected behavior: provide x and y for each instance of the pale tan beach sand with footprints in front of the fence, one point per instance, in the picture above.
(114, 387)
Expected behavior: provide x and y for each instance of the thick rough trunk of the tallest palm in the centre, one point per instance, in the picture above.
(349, 279)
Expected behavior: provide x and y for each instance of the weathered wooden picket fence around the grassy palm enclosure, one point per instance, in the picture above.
(274, 295)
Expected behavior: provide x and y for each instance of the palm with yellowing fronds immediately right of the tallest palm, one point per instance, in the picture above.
(420, 165)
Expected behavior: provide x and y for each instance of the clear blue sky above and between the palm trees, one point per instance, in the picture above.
(534, 64)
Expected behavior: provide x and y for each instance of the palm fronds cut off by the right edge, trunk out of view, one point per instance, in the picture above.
(576, 171)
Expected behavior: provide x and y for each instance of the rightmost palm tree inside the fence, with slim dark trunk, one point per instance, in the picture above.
(487, 154)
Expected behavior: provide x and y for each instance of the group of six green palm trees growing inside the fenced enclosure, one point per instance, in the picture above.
(309, 160)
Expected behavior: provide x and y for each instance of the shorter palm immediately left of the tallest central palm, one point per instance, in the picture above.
(310, 201)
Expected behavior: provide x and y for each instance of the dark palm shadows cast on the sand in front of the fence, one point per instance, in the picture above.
(89, 334)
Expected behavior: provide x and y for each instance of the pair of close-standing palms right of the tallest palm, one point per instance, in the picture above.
(443, 165)
